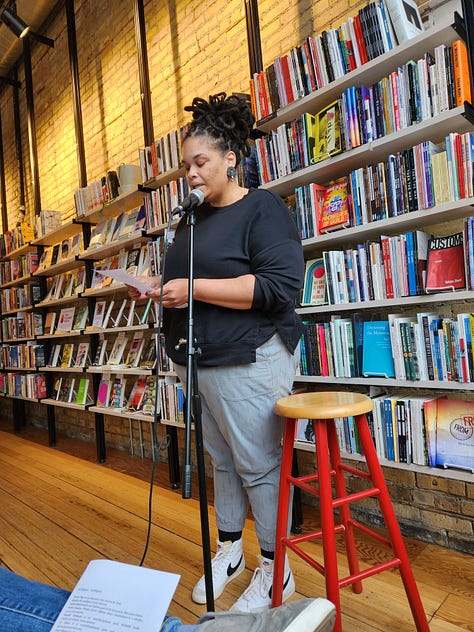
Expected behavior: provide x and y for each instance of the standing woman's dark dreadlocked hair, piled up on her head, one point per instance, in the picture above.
(226, 119)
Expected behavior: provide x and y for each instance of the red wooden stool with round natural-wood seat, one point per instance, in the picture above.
(323, 408)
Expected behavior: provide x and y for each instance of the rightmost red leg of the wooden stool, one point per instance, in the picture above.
(391, 524)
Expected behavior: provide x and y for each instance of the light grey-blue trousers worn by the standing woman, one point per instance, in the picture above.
(243, 435)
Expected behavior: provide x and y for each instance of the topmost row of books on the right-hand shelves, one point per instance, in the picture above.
(323, 58)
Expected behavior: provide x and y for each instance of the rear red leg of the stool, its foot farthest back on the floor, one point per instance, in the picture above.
(344, 511)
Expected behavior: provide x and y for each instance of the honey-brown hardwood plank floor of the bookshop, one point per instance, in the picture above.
(58, 511)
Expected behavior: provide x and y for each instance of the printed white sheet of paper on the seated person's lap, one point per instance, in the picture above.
(111, 597)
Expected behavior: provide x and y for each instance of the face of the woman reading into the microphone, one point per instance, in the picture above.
(206, 168)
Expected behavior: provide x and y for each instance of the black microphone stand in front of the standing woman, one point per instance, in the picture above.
(193, 412)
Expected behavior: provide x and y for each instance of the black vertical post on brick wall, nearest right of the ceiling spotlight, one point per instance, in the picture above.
(76, 92)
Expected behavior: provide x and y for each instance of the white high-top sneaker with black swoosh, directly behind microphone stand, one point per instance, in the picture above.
(226, 565)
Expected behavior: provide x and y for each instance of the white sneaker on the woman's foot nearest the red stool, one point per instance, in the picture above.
(258, 595)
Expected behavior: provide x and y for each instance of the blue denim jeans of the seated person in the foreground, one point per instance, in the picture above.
(28, 606)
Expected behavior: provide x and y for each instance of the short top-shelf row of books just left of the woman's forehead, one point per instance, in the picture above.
(162, 155)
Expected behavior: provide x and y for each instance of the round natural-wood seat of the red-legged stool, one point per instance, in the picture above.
(323, 405)
